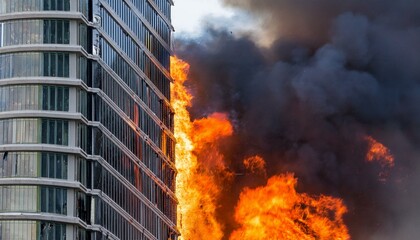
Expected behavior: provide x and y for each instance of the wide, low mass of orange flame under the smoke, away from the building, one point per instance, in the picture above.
(277, 211)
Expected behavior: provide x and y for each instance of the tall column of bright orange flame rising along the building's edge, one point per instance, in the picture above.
(199, 163)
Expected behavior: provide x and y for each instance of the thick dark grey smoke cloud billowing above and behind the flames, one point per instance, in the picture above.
(336, 72)
